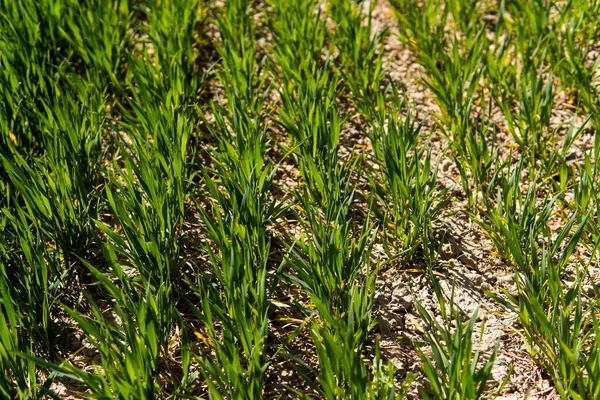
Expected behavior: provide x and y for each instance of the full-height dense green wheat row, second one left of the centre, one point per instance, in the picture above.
(149, 183)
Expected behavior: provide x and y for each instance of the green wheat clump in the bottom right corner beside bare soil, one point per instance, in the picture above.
(561, 334)
